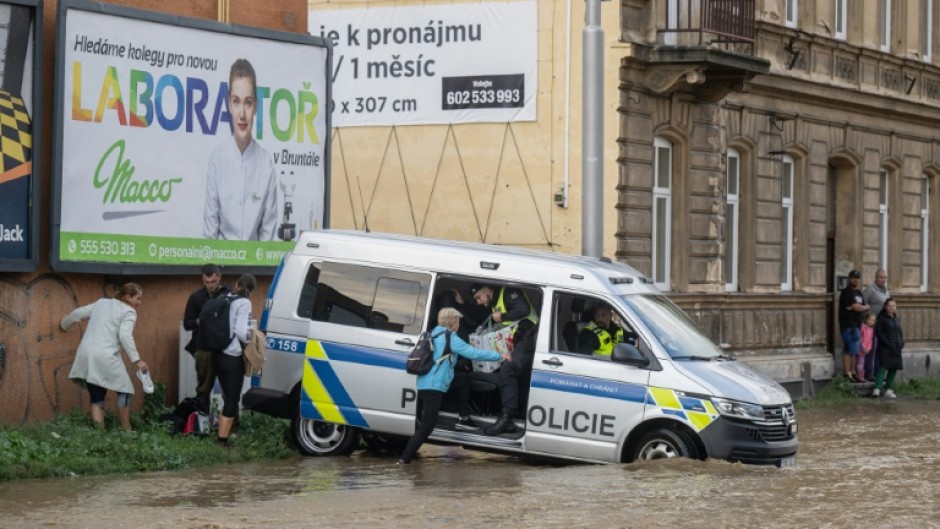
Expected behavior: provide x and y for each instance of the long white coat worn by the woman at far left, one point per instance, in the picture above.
(98, 360)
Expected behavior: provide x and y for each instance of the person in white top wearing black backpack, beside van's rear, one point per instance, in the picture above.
(227, 362)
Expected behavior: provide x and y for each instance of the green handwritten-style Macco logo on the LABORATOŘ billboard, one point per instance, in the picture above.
(121, 188)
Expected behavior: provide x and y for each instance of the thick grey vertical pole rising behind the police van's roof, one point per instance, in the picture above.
(592, 169)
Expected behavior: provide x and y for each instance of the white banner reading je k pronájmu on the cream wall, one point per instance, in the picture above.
(432, 64)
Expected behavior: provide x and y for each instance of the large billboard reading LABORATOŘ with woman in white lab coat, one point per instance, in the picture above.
(181, 142)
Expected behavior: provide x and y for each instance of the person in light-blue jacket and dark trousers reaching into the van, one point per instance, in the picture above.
(434, 384)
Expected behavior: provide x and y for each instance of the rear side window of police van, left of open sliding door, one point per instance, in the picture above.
(375, 298)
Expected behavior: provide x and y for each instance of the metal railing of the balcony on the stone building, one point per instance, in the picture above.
(725, 24)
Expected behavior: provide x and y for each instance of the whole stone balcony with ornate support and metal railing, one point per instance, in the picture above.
(705, 47)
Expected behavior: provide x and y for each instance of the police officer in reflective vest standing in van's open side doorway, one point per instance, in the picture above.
(510, 305)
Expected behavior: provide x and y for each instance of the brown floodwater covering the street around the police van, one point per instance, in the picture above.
(876, 464)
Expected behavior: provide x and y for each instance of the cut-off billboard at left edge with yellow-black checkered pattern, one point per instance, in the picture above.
(20, 38)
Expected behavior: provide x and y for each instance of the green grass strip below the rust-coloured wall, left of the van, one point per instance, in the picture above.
(70, 445)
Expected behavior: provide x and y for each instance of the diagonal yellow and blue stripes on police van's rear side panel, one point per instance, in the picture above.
(323, 396)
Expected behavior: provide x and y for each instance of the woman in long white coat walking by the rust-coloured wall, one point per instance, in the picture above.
(98, 366)
